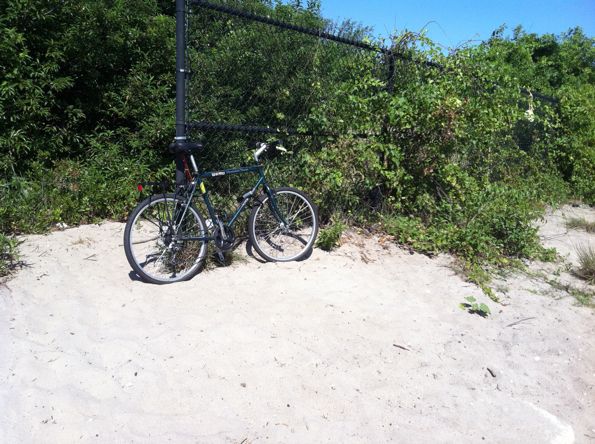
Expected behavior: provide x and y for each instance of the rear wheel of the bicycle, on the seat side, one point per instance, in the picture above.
(165, 241)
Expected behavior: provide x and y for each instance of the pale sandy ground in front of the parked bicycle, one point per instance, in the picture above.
(365, 344)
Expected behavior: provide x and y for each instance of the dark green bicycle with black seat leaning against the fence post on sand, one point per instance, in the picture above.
(166, 238)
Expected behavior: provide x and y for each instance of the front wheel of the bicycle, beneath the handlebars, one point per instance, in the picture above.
(285, 227)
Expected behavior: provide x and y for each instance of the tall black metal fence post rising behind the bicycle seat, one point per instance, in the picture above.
(180, 85)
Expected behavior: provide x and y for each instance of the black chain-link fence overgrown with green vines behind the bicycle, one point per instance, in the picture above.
(262, 72)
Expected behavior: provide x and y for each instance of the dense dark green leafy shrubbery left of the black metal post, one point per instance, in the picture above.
(85, 108)
